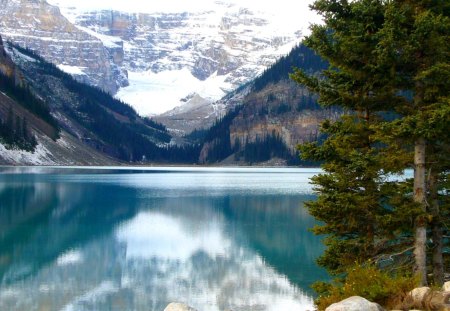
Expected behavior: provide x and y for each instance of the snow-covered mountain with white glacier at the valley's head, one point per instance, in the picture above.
(173, 52)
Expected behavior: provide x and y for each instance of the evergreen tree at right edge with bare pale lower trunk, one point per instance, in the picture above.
(415, 48)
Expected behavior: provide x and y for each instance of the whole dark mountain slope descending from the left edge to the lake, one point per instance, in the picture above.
(73, 123)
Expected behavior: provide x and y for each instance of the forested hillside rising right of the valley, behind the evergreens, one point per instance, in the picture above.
(273, 118)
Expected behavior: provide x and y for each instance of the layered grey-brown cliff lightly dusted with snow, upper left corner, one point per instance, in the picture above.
(41, 27)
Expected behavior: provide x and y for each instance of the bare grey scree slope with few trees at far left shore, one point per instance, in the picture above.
(51, 146)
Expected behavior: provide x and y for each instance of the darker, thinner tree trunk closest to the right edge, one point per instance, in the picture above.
(436, 231)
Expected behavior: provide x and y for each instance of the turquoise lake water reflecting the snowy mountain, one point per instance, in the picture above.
(137, 239)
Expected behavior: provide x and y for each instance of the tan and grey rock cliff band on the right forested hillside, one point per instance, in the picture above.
(278, 109)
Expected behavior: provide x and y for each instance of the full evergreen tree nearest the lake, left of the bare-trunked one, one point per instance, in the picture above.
(356, 199)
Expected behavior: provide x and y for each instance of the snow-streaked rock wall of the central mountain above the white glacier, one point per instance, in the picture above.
(234, 43)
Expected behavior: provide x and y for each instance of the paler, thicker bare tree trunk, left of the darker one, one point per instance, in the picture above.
(420, 268)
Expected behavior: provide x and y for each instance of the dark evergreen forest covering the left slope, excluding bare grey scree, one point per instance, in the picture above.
(90, 116)
